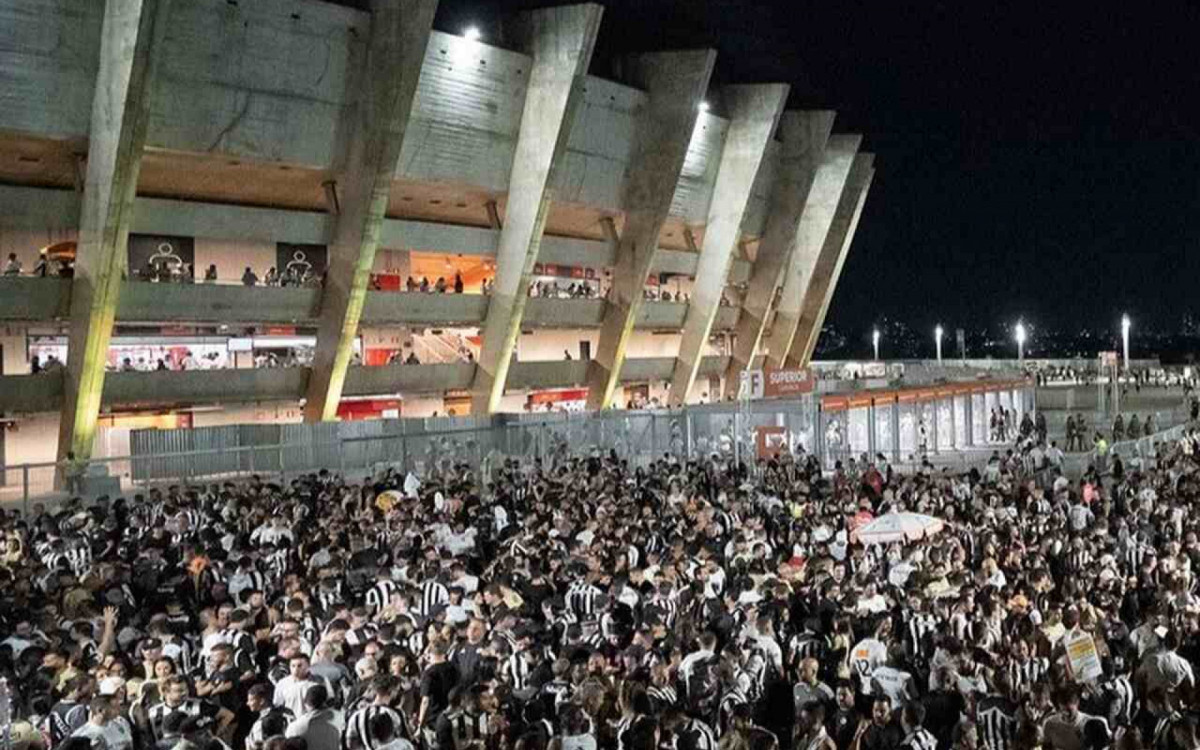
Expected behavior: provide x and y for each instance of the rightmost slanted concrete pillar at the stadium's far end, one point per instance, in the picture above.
(833, 257)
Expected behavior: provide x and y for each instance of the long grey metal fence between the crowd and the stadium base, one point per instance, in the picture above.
(359, 448)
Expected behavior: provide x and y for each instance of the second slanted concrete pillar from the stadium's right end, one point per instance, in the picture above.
(815, 224)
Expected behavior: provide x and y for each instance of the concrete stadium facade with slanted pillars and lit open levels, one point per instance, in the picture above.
(244, 127)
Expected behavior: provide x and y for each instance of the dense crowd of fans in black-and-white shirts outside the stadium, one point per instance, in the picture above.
(584, 603)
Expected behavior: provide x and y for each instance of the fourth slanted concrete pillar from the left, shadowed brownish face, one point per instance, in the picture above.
(676, 83)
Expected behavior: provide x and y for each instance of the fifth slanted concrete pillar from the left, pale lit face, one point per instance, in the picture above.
(754, 112)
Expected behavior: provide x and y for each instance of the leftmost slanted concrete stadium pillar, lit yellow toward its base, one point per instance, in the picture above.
(121, 112)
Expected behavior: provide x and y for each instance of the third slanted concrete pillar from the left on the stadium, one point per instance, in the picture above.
(561, 41)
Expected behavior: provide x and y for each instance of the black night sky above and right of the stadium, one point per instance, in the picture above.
(1037, 160)
